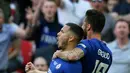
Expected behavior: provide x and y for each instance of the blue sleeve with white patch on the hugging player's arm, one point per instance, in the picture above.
(83, 45)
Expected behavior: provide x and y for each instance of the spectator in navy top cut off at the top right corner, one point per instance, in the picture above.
(122, 11)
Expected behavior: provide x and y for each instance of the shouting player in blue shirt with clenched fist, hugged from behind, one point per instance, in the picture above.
(69, 36)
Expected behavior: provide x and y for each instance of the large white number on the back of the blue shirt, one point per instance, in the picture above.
(99, 65)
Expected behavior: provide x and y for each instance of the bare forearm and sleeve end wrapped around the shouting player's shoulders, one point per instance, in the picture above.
(72, 55)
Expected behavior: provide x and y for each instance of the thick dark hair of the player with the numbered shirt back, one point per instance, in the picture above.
(96, 19)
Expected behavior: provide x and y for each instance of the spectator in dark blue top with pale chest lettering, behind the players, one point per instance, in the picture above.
(48, 26)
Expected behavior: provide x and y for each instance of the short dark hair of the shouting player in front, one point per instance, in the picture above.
(77, 30)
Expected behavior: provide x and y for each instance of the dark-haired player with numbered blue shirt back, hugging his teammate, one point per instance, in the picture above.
(93, 53)
